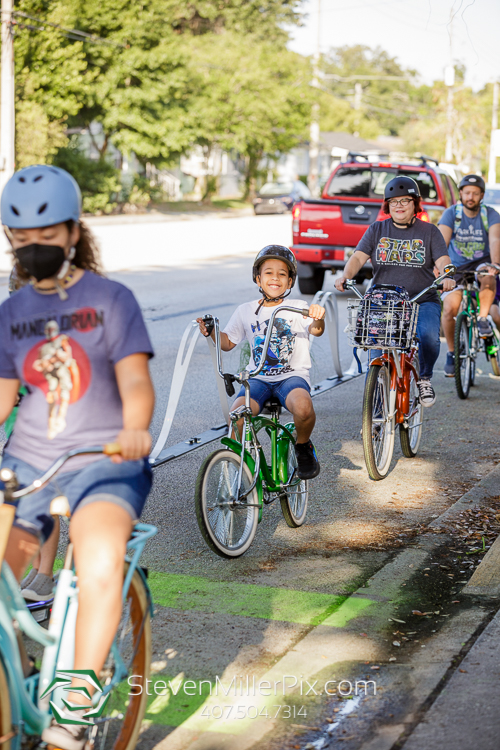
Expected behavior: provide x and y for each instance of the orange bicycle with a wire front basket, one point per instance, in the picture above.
(391, 397)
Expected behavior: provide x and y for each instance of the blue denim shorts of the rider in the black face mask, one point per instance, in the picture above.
(126, 484)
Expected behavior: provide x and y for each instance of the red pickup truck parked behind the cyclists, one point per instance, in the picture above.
(327, 230)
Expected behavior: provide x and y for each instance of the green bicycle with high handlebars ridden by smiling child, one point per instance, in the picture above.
(235, 482)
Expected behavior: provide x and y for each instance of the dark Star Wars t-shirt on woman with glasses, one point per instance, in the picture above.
(404, 257)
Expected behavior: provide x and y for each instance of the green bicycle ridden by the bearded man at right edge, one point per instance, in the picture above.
(468, 344)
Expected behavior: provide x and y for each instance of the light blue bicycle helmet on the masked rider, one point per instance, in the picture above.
(40, 196)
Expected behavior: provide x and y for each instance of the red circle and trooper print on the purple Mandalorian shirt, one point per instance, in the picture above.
(60, 367)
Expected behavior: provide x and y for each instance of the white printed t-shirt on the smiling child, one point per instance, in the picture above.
(288, 352)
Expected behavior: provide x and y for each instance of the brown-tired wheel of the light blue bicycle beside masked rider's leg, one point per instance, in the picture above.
(118, 728)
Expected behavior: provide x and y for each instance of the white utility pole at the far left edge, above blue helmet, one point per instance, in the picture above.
(7, 120)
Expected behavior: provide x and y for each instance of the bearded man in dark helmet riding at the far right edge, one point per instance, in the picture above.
(472, 234)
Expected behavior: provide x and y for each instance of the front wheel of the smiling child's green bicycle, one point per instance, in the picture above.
(228, 529)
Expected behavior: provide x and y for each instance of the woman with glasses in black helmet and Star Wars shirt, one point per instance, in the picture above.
(403, 250)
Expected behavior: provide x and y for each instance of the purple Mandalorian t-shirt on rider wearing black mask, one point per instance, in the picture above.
(64, 352)
